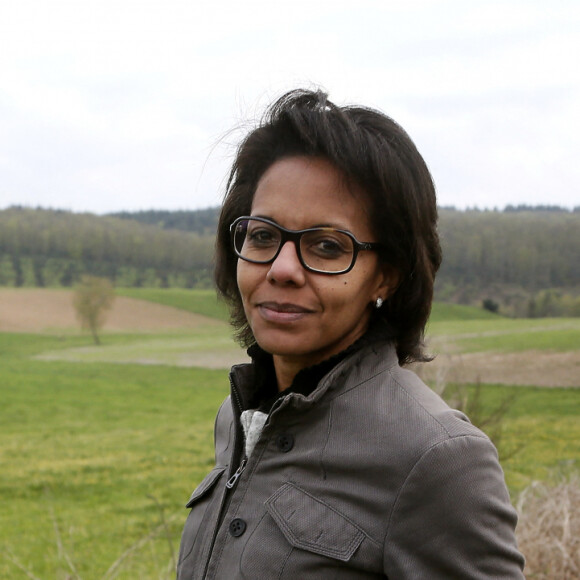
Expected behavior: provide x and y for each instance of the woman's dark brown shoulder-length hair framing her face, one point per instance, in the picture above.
(377, 155)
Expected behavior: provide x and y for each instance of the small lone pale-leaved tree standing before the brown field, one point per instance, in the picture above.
(92, 298)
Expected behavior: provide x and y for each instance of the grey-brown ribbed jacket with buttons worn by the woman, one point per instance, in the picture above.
(370, 476)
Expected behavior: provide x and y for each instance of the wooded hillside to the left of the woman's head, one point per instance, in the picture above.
(47, 248)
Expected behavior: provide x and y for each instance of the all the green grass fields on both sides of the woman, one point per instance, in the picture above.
(99, 458)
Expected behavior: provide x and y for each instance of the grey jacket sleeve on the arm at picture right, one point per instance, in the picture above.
(453, 517)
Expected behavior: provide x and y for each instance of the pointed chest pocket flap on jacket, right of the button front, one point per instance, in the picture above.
(310, 524)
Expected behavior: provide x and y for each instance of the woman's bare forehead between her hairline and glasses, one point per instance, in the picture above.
(302, 192)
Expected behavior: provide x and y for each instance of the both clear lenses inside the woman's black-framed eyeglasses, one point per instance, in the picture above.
(322, 249)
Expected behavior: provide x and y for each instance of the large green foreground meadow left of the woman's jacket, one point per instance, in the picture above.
(95, 458)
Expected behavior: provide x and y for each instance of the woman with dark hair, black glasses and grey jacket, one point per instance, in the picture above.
(332, 461)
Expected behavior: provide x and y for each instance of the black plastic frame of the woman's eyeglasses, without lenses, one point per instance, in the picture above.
(295, 237)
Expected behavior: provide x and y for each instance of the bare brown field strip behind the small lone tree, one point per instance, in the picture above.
(39, 310)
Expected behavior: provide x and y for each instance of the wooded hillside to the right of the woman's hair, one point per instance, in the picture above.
(512, 258)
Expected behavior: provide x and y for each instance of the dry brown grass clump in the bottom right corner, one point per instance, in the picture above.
(549, 529)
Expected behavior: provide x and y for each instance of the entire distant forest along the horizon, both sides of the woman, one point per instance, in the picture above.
(522, 261)
